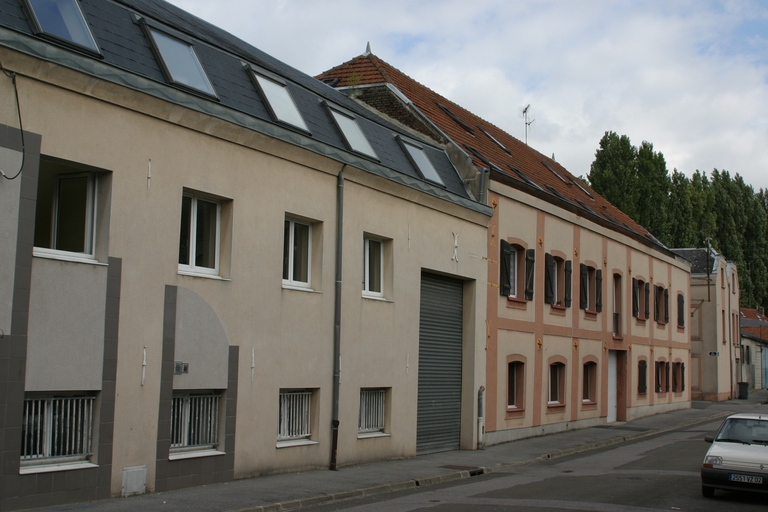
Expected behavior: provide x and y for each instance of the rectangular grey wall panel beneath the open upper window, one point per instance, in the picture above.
(65, 346)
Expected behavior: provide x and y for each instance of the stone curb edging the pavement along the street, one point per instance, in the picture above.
(460, 475)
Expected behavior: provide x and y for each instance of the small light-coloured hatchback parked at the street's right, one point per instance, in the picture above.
(738, 457)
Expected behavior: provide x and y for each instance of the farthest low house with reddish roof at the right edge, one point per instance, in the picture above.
(754, 348)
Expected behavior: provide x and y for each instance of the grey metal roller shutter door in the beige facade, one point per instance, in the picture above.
(439, 404)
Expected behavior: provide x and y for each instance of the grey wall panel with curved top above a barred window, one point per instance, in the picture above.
(201, 342)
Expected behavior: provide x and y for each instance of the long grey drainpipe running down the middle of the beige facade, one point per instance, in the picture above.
(337, 320)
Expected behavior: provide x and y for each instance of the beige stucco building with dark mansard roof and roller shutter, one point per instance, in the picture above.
(215, 266)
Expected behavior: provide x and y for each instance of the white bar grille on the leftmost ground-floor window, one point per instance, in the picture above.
(57, 428)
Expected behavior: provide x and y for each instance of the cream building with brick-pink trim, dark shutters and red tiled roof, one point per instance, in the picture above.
(587, 320)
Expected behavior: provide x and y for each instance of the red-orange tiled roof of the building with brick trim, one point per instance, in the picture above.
(515, 163)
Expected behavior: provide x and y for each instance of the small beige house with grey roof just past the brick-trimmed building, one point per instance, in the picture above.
(714, 306)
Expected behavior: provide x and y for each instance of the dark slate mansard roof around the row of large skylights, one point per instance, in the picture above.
(124, 46)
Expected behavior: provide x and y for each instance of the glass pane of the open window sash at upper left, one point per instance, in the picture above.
(72, 214)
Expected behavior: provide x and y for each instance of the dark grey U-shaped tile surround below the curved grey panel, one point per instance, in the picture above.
(178, 474)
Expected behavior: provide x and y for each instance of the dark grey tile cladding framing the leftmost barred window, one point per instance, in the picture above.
(45, 489)
